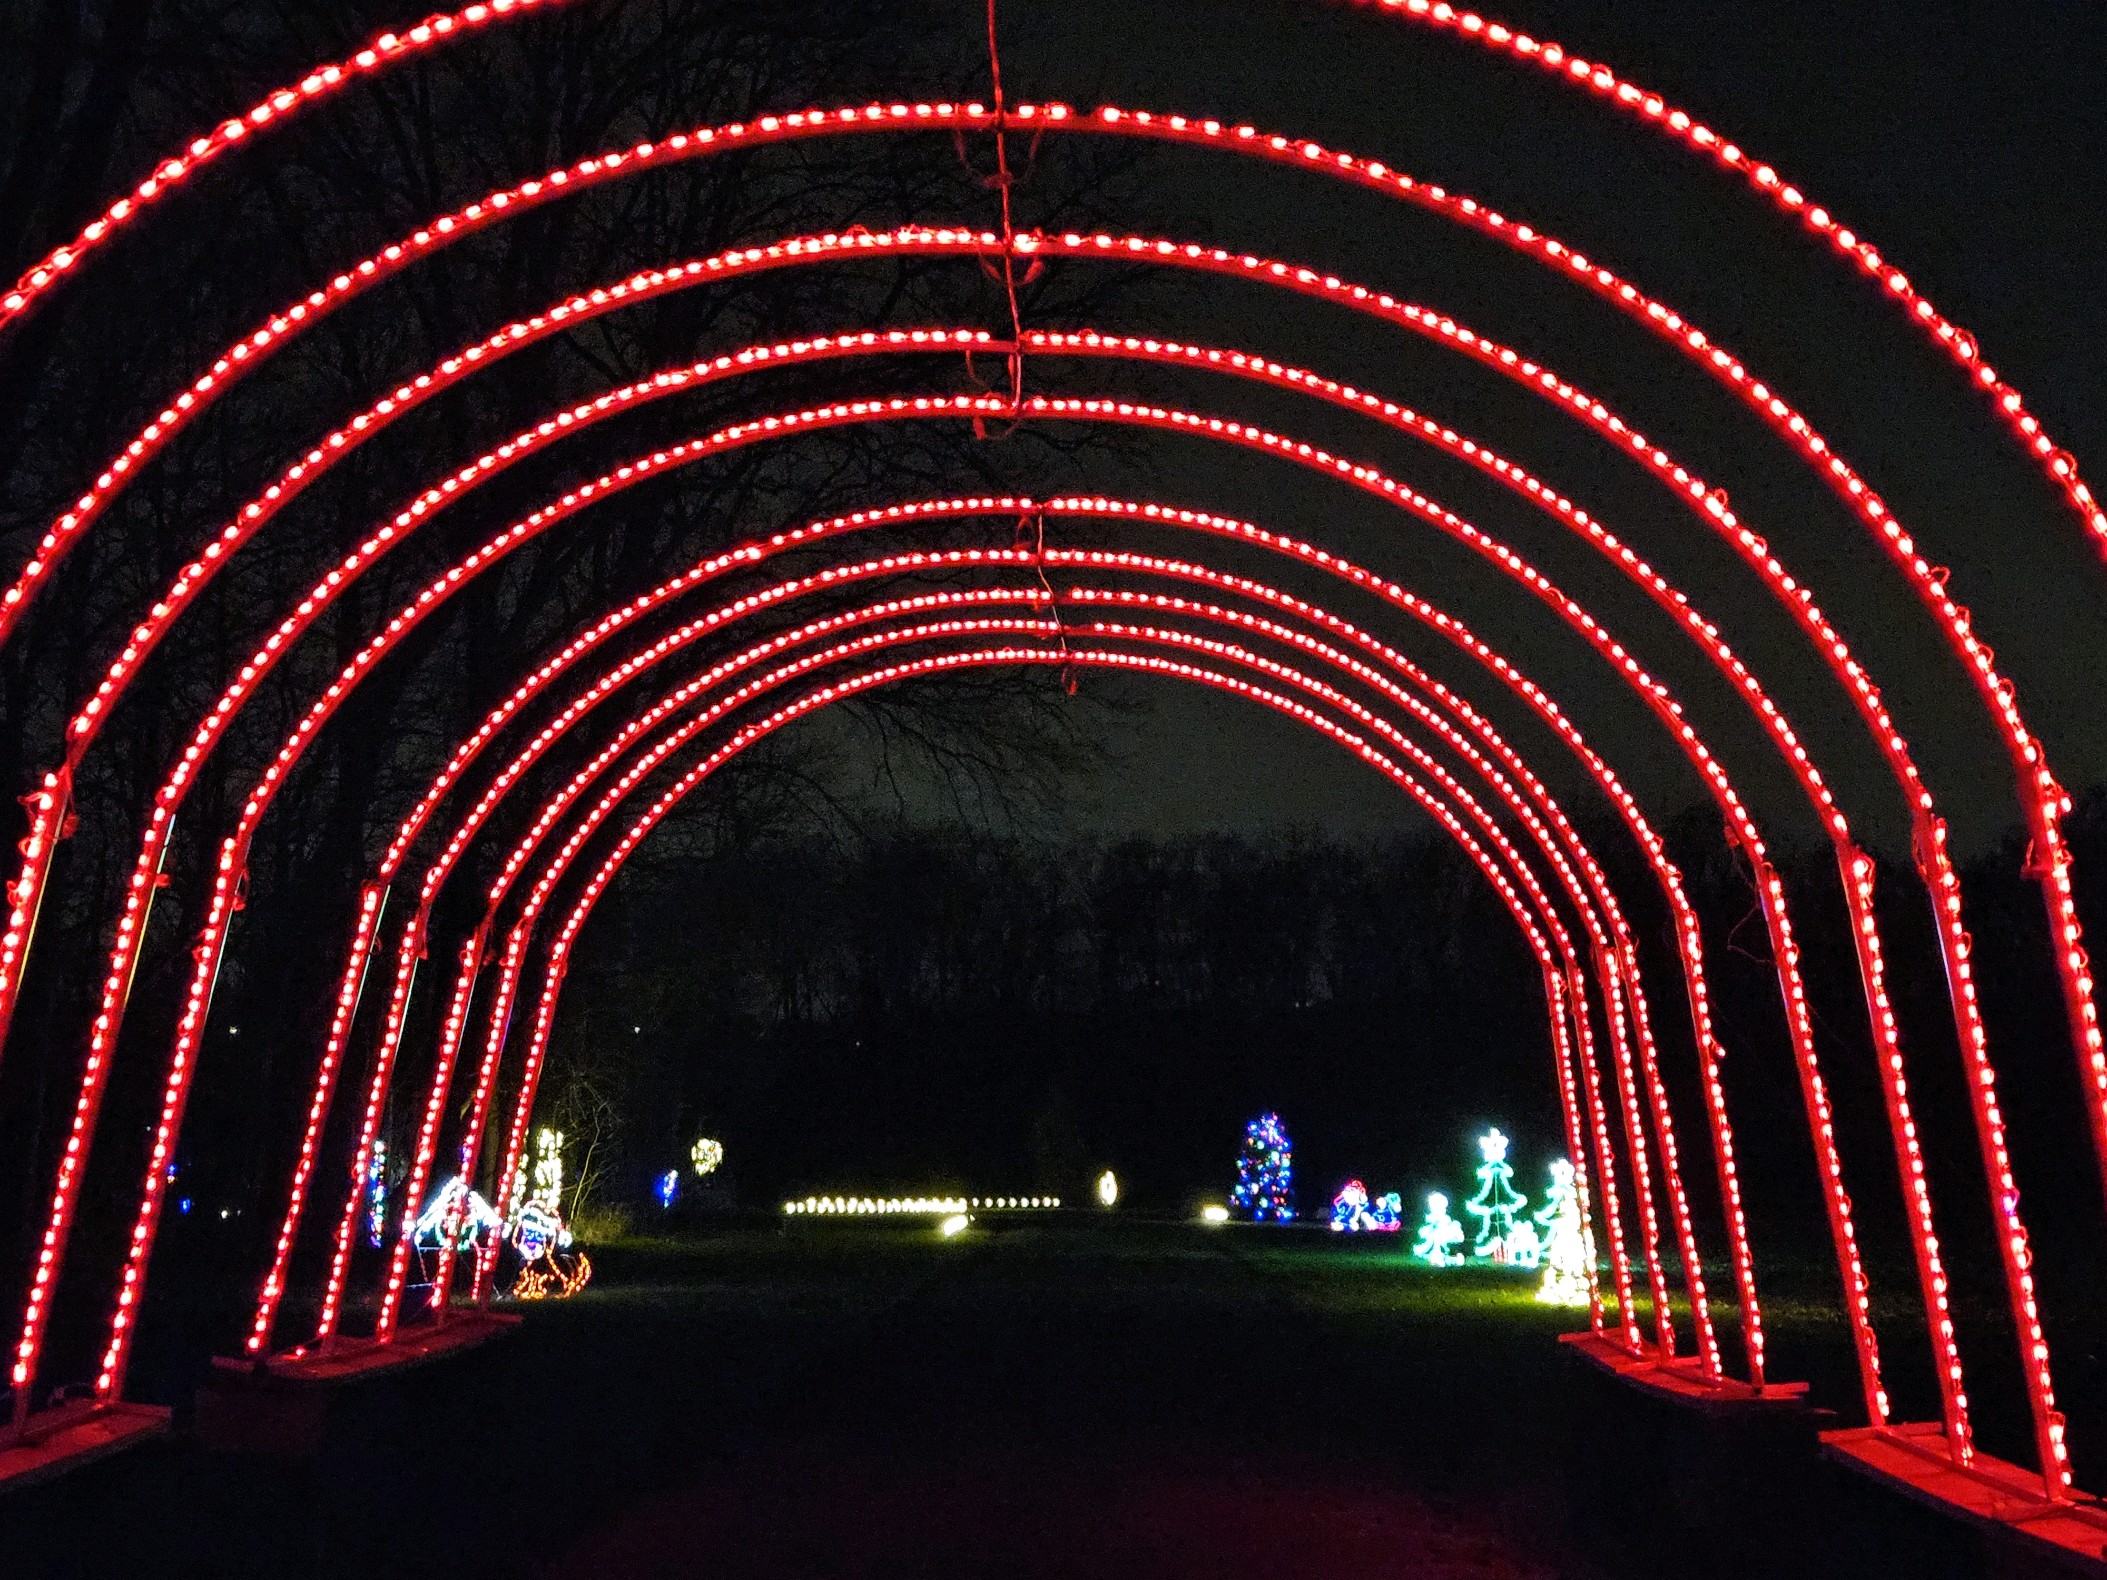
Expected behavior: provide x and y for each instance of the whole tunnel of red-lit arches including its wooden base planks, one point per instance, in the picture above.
(1019, 595)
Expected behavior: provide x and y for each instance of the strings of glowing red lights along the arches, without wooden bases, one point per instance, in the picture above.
(1615, 955)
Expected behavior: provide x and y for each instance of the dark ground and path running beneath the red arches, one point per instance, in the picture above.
(1092, 1398)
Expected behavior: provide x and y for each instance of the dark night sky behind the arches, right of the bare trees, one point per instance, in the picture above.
(1967, 142)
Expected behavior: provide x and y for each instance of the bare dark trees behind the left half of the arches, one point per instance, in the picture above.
(92, 92)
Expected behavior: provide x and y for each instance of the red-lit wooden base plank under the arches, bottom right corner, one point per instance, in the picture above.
(1994, 1495)
